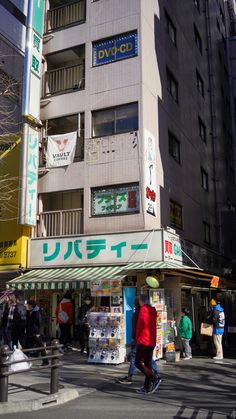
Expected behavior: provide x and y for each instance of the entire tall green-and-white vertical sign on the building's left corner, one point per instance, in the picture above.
(31, 111)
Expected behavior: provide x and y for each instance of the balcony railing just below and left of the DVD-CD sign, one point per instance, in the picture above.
(64, 79)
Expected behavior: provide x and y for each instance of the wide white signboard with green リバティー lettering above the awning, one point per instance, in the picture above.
(102, 249)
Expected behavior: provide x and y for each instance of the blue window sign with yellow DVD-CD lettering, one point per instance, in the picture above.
(115, 49)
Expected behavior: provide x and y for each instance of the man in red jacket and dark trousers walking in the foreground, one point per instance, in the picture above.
(146, 341)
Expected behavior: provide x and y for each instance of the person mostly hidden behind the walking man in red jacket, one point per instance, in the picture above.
(156, 371)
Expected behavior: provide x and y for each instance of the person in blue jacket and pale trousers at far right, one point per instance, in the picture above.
(217, 318)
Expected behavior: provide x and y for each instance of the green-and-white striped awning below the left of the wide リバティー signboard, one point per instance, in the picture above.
(64, 278)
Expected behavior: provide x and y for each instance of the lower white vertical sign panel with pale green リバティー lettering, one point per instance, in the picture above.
(31, 176)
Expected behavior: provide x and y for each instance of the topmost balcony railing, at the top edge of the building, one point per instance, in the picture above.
(66, 15)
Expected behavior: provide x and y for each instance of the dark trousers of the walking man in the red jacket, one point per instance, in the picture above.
(143, 361)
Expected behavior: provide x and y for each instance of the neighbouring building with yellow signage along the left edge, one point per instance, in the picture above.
(13, 237)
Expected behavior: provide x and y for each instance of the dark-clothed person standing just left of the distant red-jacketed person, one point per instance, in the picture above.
(33, 329)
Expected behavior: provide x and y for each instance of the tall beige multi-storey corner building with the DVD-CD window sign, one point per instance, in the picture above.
(145, 90)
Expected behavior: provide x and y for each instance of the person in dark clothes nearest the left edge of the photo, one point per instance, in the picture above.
(11, 322)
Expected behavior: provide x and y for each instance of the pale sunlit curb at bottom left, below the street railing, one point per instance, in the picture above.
(63, 396)
